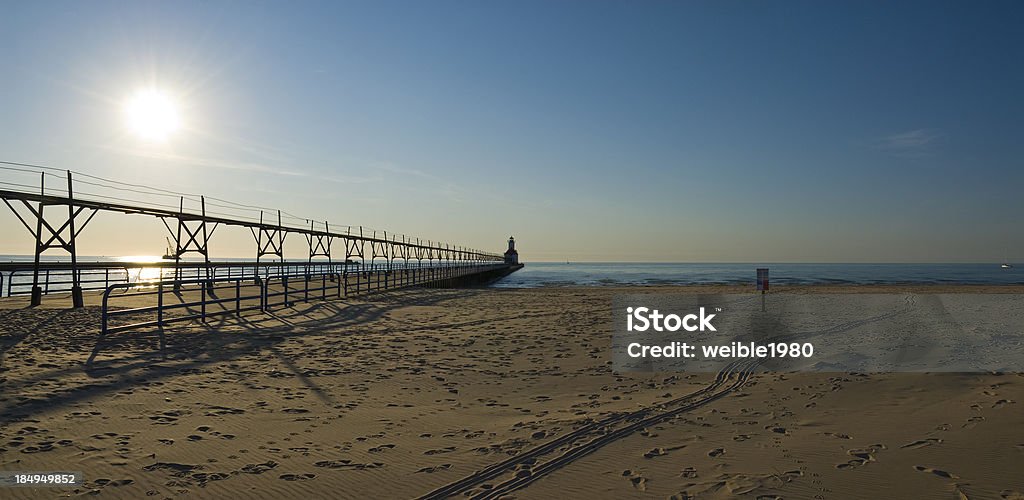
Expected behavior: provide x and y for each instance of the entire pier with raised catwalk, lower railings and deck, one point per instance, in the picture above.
(56, 206)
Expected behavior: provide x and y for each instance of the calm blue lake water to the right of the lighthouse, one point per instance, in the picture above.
(553, 274)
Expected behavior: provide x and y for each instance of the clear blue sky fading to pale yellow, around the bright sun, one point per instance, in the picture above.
(718, 132)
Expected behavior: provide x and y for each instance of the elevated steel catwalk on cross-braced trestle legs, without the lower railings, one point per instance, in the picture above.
(25, 190)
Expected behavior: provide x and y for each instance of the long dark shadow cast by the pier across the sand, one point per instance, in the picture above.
(149, 357)
